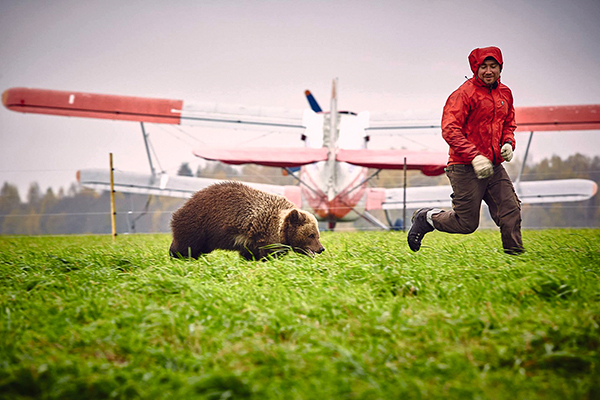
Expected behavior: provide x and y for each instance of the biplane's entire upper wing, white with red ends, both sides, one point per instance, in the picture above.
(168, 111)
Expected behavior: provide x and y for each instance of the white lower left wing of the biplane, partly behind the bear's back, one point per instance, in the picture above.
(172, 186)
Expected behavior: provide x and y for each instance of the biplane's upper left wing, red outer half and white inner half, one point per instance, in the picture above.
(129, 108)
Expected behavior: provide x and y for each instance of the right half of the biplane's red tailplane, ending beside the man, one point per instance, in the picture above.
(427, 162)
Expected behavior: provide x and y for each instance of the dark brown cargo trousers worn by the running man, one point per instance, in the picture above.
(498, 193)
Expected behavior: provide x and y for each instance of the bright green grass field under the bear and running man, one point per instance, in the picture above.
(83, 318)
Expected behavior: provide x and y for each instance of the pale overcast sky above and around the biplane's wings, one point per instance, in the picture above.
(398, 56)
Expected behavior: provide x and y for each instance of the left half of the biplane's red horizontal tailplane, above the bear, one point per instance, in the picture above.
(267, 156)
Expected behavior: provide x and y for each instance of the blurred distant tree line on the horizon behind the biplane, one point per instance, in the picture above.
(81, 211)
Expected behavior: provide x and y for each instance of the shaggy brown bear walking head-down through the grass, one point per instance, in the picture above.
(234, 216)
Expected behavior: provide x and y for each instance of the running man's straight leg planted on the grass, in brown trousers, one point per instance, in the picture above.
(505, 210)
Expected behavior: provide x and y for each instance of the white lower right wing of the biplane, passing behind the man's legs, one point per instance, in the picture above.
(531, 192)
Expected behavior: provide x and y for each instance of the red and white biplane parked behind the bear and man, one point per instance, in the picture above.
(331, 168)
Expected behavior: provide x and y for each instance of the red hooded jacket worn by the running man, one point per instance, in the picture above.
(479, 119)
